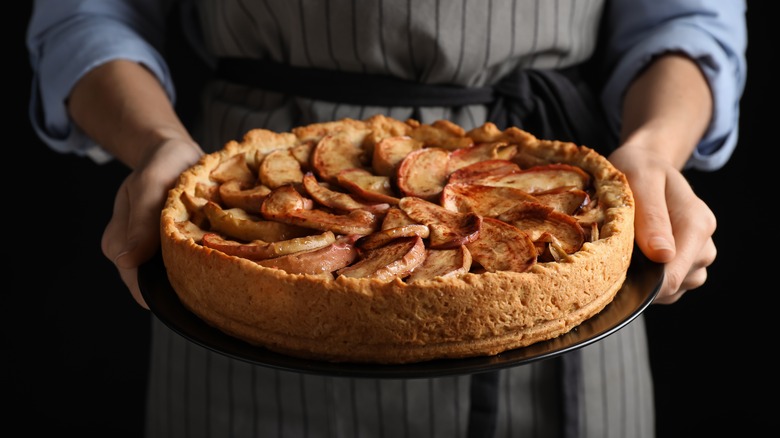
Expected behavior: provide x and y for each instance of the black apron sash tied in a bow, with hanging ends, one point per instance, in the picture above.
(550, 104)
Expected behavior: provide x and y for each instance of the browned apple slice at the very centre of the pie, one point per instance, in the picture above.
(448, 229)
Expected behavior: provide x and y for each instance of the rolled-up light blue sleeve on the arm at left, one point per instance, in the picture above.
(66, 39)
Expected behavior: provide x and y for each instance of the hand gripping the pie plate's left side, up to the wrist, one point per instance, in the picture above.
(132, 235)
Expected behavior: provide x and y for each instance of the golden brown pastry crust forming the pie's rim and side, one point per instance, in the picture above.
(371, 321)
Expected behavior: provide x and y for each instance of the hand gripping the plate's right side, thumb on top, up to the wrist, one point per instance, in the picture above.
(673, 226)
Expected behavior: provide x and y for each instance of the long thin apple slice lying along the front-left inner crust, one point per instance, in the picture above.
(259, 250)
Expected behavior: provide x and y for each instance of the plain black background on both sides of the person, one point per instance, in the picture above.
(74, 343)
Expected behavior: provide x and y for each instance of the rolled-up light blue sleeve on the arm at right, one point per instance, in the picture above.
(712, 32)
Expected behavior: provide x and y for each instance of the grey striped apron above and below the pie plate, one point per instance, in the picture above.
(504, 59)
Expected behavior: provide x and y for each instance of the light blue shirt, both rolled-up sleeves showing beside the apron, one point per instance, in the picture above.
(67, 38)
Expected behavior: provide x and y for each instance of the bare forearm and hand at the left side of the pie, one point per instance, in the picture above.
(123, 107)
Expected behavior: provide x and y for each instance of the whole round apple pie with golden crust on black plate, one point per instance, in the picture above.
(389, 242)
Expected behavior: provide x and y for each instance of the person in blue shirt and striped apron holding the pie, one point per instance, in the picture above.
(668, 78)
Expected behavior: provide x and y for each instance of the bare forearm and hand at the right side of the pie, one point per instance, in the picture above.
(666, 111)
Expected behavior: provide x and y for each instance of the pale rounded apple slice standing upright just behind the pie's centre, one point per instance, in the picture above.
(423, 173)
